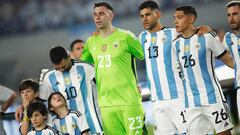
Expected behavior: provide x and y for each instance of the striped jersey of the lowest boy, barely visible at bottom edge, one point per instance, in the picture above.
(46, 131)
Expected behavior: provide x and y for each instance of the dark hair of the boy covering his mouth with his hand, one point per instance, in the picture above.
(29, 83)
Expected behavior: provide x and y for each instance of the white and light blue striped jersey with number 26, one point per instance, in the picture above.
(196, 55)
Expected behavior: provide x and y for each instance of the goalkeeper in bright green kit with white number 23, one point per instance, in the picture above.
(112, 51)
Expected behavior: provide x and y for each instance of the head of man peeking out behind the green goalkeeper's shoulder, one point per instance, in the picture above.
(76, 49)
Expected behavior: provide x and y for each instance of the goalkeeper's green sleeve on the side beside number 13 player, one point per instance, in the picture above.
(134, 46)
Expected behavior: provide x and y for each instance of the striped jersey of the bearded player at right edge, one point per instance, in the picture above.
(232, 41)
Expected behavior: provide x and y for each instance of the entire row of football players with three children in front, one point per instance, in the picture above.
(186, 95)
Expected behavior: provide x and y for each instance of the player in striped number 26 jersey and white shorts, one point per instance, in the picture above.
(205, 103)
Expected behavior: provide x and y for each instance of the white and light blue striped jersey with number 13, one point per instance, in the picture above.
(162, 76)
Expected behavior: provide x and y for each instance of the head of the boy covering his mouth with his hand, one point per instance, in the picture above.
(29, 89)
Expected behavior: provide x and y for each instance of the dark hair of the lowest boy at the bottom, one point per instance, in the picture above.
(36, 106)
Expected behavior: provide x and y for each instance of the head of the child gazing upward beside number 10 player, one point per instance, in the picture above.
(56, 100)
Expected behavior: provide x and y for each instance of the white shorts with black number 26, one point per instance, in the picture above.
(203, 120)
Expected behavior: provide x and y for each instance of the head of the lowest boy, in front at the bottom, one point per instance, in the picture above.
(37, 112)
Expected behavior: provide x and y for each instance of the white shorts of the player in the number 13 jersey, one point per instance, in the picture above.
(169, 117)
